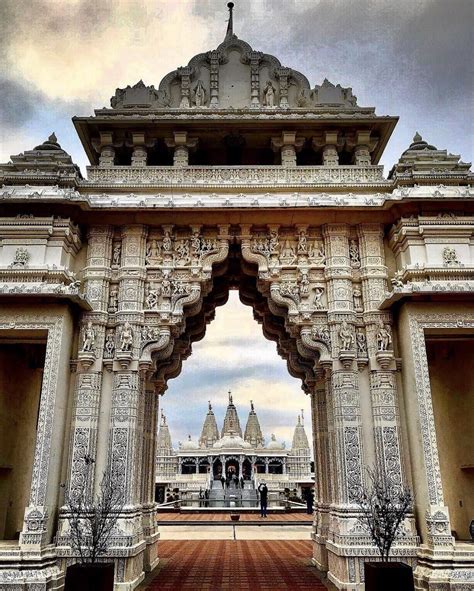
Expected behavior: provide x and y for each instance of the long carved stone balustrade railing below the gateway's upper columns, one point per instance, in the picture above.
(236, 176)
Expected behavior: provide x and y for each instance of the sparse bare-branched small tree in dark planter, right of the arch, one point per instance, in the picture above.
(384, 505)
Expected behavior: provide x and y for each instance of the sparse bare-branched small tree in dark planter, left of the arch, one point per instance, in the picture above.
(92, 517)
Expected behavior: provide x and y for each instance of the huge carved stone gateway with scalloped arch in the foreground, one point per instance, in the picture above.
(236, 173)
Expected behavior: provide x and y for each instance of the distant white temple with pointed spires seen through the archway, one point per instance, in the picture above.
(199, 466)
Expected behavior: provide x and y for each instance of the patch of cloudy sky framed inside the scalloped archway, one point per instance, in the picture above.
(234, 355)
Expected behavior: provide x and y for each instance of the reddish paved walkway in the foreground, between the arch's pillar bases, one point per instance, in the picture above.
(235, 566)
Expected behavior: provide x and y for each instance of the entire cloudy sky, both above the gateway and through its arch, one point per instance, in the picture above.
(60, 58)
